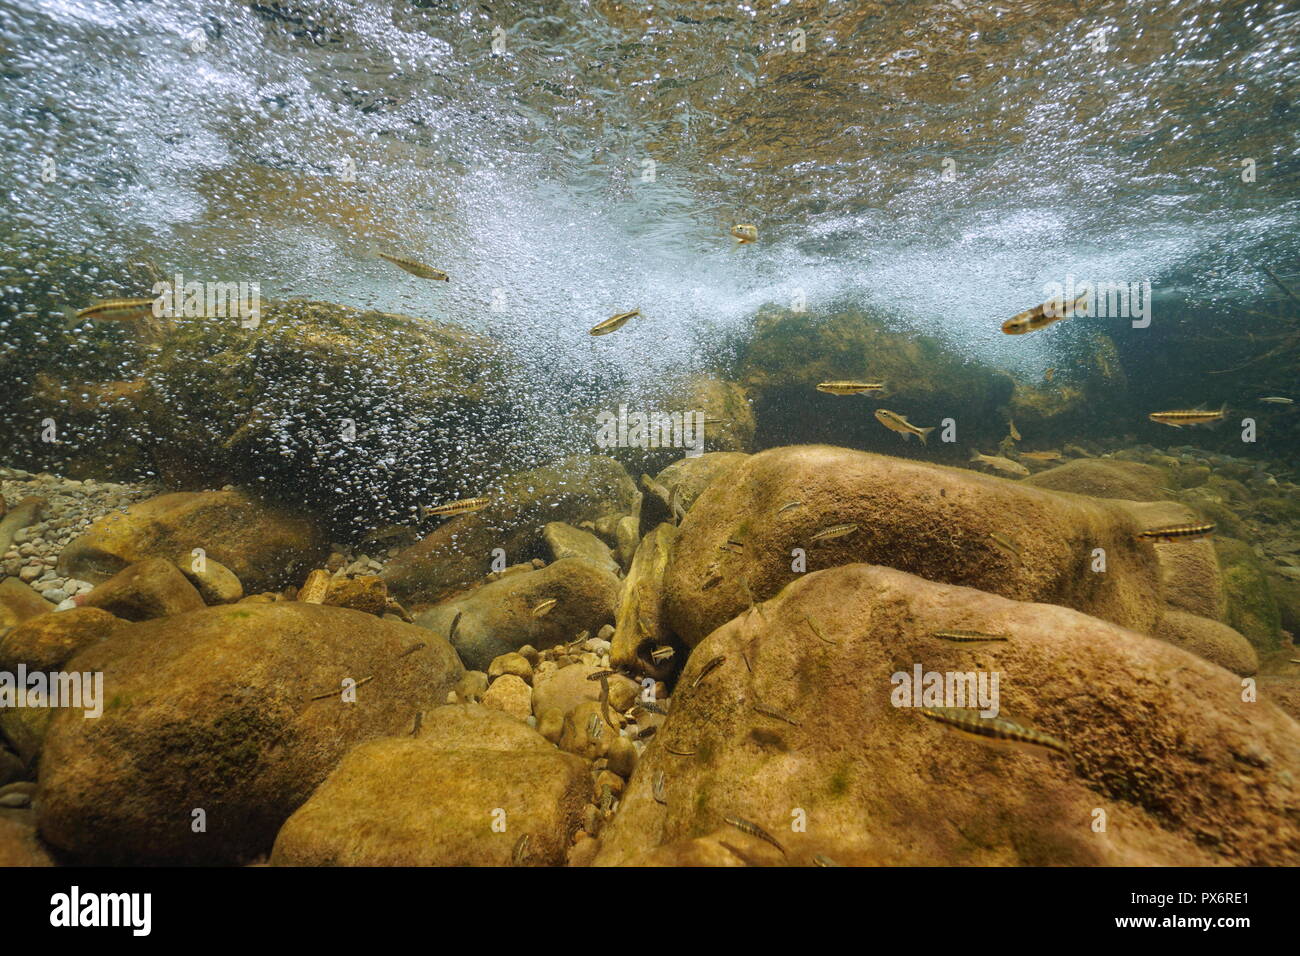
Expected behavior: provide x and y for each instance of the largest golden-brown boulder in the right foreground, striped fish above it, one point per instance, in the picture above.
(814, 737)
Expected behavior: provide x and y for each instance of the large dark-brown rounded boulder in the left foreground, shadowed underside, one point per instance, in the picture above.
(237, 712)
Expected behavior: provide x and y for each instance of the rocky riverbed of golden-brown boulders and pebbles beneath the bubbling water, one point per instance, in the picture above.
(682, 669)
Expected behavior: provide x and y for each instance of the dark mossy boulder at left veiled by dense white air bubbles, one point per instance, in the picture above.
(354, 414)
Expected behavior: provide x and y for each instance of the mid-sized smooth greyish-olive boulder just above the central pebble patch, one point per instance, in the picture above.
(515, 611)
